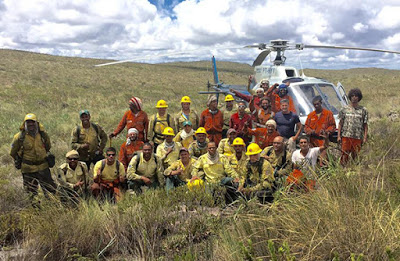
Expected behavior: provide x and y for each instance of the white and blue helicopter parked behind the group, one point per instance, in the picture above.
(301, 88)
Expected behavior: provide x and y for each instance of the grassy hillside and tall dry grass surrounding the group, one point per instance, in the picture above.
(353, 215)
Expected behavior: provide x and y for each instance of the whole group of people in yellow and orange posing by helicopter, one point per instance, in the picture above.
(249, 151)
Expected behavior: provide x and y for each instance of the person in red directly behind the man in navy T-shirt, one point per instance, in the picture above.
(276, 95)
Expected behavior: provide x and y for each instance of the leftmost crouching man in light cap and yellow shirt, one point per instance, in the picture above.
(73, 177)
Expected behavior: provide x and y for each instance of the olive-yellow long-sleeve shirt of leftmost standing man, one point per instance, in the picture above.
(32, 149)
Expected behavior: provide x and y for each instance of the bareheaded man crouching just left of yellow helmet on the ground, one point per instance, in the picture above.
(180, 172)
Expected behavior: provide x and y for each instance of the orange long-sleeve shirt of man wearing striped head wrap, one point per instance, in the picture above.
(139, 122)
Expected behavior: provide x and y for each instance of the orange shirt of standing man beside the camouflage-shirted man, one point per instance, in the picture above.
(325, 121)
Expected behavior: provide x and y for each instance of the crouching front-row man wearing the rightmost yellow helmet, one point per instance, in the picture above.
(259, 178)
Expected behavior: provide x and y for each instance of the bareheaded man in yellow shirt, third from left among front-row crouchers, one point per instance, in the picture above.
(145, 170)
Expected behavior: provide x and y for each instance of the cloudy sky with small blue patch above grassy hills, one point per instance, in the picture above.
(191, 30)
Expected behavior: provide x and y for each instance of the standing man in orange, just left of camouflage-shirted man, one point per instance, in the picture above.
(319, 121)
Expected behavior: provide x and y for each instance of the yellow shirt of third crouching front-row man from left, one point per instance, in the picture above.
(150, 169)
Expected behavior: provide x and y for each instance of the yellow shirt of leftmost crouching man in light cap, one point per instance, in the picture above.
(69, 177)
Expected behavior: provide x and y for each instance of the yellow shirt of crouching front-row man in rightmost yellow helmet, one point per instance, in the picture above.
(261, 180)
